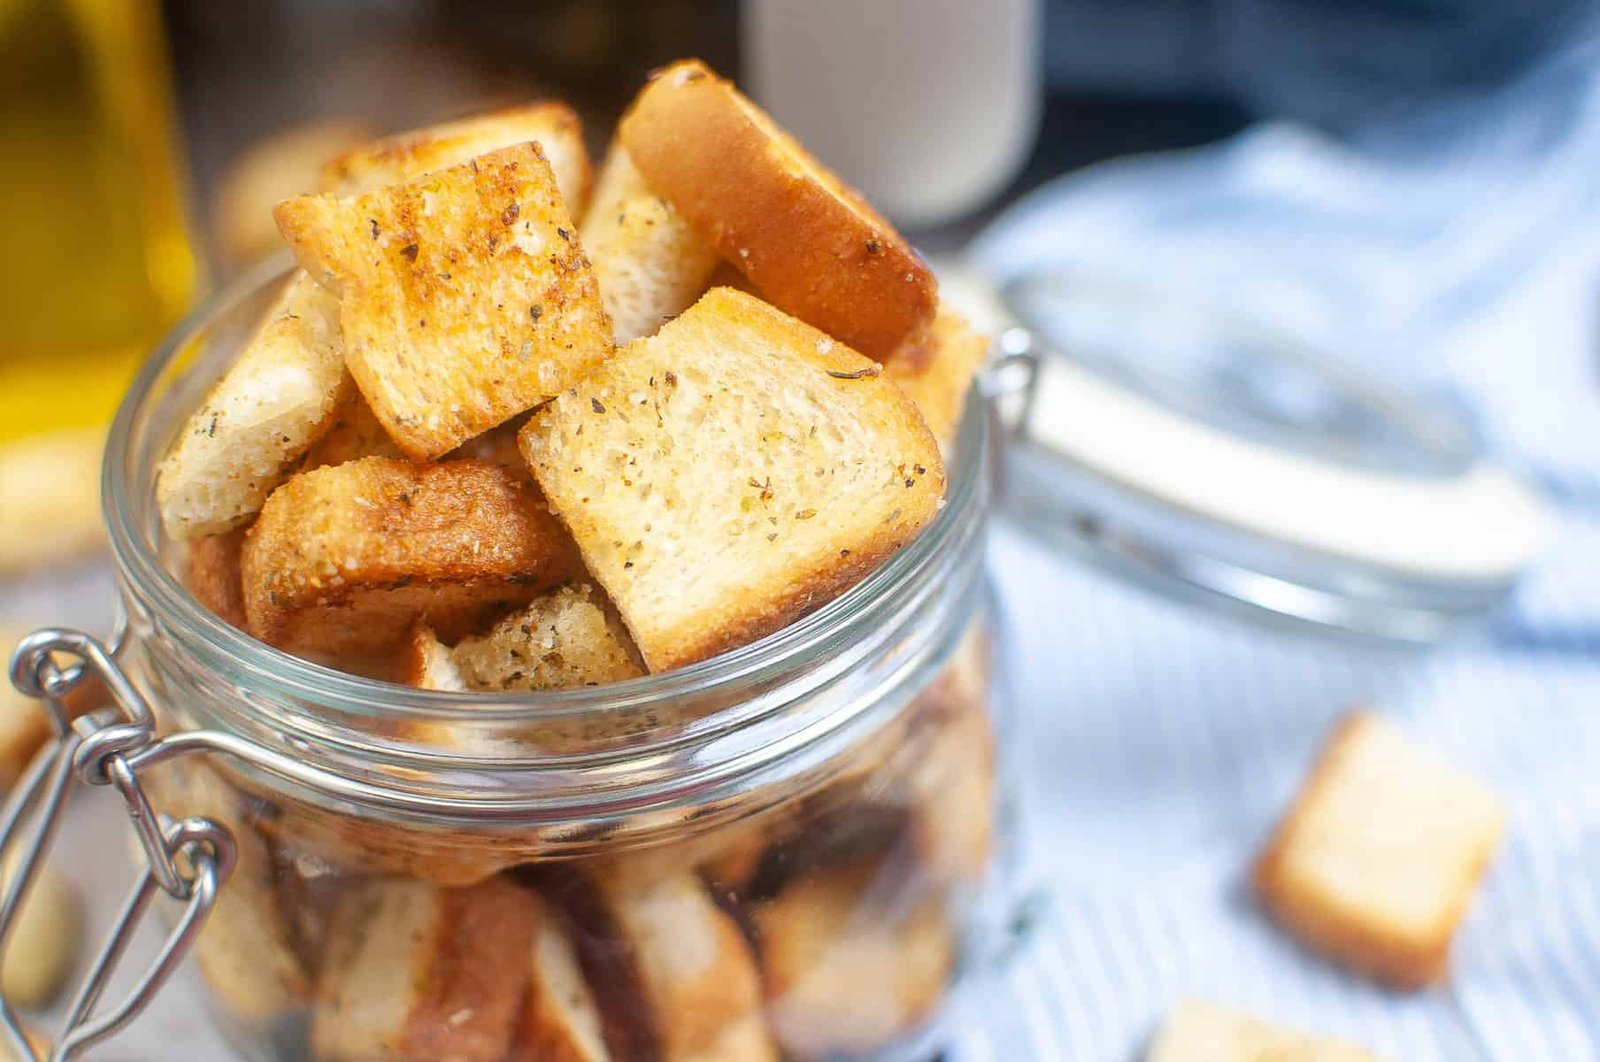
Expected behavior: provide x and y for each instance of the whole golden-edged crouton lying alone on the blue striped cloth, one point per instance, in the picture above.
(1382, 852)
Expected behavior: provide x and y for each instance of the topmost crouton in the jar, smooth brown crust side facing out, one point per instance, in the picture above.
(810, 244)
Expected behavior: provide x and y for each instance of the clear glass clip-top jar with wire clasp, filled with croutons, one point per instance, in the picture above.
(793, 850)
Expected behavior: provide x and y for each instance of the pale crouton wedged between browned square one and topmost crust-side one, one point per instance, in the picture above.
(649, 262)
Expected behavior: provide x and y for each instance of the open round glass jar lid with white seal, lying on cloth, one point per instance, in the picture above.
(1236, 463)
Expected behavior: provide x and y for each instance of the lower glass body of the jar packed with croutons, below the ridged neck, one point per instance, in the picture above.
(826, 920)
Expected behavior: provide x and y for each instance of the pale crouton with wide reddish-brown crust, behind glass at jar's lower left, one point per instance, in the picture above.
(417, 972)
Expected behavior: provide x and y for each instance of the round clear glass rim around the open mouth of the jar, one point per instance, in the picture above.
(132, 524)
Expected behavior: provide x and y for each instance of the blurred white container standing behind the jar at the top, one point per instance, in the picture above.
(929, 106)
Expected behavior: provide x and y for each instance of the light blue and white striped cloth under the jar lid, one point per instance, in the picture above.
(1458, 247)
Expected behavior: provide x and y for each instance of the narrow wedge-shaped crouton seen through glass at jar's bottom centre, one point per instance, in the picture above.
(561, 1018)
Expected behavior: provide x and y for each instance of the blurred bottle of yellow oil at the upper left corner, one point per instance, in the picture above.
(95, 255)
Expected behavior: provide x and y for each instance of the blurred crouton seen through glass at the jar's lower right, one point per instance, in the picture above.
(842, 975)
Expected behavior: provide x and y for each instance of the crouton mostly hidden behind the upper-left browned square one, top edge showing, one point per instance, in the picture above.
(406, 156)
